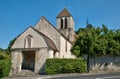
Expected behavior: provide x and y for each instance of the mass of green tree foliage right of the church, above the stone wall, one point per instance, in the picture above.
(97, 41)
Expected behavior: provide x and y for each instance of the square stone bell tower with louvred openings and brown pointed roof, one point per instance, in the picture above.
(65, 24)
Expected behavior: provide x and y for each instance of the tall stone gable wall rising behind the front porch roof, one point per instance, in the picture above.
(46, 28)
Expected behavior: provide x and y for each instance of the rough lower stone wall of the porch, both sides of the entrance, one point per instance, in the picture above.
(40, 58)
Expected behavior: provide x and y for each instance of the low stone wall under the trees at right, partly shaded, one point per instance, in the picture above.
(105, 63)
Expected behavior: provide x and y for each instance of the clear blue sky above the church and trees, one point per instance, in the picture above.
(17, 15)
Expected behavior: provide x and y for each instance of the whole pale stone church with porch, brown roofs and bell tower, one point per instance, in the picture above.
(36, 44)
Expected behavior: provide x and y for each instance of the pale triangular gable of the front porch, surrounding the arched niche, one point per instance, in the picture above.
(37, 40)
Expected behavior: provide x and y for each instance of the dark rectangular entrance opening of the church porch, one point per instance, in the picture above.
(28, 60)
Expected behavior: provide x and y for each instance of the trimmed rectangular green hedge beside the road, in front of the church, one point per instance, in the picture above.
(57, 65)
